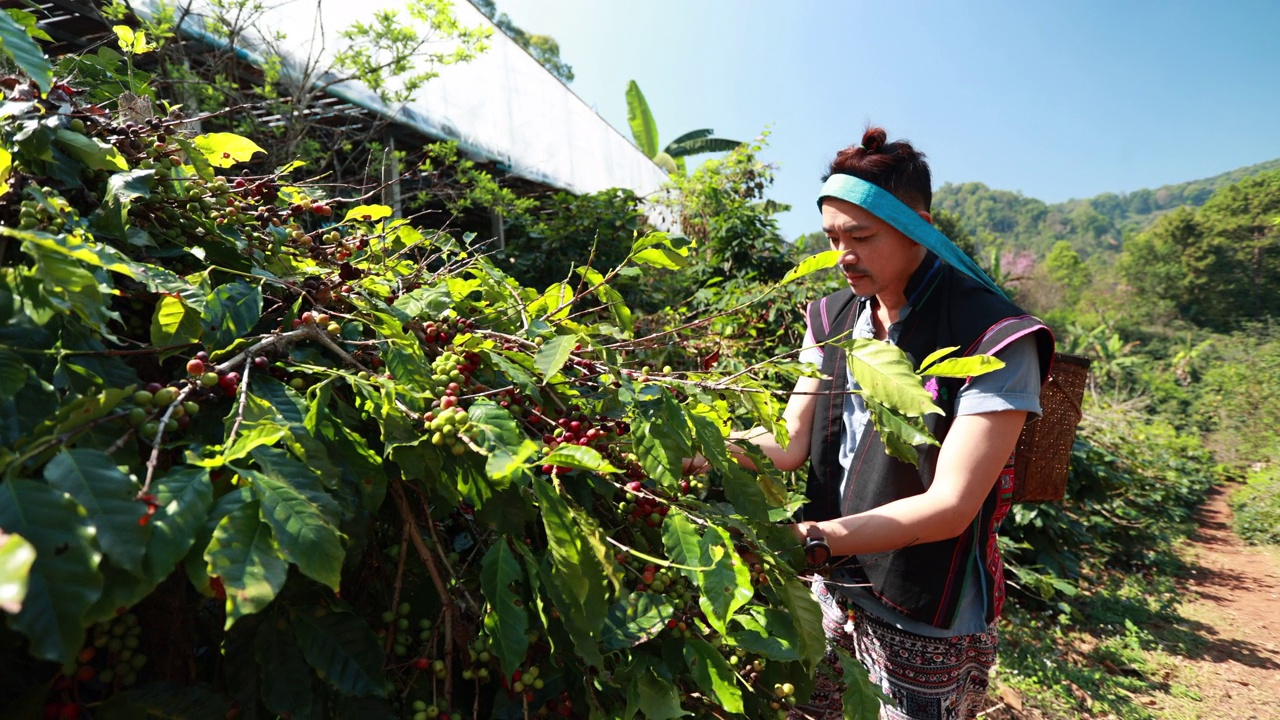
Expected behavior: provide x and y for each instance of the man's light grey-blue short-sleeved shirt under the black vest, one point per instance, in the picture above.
(1013, 388)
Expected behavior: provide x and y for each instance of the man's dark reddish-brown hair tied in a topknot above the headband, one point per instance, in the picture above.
(895, 167)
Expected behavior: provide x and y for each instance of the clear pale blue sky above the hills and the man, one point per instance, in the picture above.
(1057, 101)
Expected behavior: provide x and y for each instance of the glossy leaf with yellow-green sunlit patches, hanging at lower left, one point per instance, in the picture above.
(245, 557)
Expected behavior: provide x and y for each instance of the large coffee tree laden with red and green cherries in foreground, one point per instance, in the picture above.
(268, 453)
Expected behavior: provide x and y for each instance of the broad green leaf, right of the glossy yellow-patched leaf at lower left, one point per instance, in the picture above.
(301, 516)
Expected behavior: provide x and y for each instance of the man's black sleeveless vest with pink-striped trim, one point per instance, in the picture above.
(922, 582)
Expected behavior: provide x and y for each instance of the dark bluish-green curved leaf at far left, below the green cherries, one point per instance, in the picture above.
(111, 499)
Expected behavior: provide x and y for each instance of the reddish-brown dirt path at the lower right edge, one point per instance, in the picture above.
(1233, 599)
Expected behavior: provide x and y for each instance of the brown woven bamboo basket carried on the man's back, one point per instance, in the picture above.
(1045, 448)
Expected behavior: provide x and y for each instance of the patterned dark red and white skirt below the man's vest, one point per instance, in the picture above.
(927, 678)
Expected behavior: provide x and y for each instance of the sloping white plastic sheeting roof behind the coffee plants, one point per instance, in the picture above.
(501, 107)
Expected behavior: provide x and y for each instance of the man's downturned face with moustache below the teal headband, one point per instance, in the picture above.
(877, 258)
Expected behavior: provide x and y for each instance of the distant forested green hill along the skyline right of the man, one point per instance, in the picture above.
(1095, 225)
